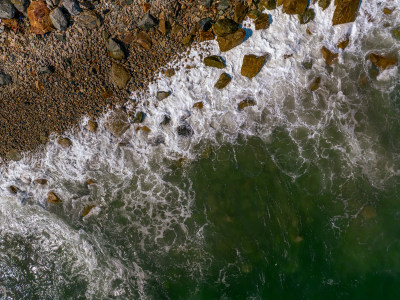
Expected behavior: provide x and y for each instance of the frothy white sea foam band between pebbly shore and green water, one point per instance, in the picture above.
(132, 177)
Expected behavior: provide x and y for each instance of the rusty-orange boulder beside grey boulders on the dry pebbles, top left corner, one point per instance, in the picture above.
(39, 17)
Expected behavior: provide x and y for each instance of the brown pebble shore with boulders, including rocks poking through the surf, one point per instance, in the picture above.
(61, 61)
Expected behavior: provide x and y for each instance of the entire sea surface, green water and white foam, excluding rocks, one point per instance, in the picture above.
(296, 197)
